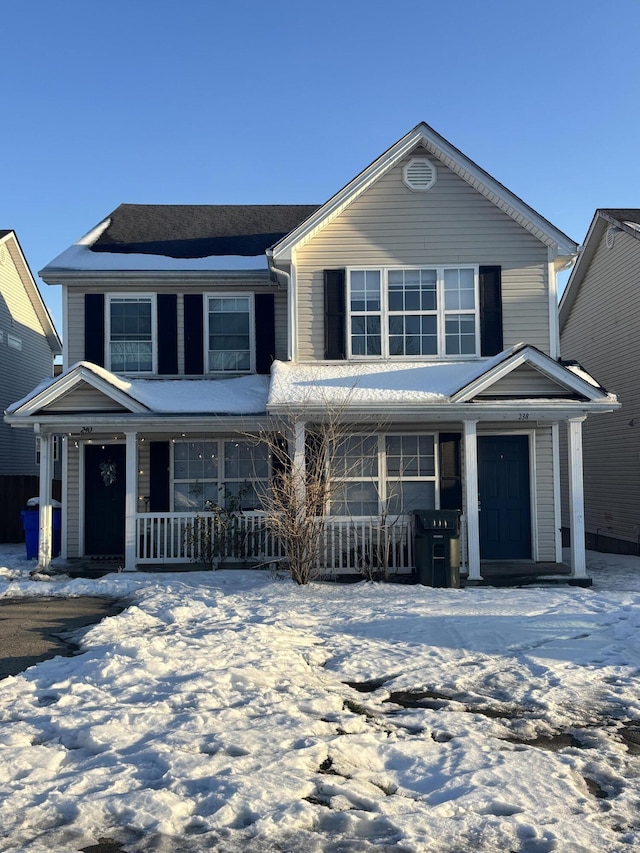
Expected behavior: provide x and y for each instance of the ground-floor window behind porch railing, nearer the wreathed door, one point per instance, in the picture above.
(219, 471)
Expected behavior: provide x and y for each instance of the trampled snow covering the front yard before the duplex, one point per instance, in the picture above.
(214, 714)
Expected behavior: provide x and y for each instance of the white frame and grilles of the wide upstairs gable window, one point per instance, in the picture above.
(441, 313)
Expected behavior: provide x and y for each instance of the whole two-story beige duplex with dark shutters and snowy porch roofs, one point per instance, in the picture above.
(420, 300)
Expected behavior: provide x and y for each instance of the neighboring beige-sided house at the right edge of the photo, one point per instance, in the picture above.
(600, 326)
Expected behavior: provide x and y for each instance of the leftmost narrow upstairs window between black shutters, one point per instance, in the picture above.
(130, 338)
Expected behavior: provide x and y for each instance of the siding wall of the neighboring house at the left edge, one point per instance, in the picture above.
(21, 369)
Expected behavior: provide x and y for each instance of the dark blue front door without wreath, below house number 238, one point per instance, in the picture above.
(505, 501)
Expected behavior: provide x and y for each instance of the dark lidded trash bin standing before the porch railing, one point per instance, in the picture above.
(437, 547)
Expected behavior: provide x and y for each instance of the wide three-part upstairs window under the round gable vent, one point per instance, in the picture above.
(414, 312)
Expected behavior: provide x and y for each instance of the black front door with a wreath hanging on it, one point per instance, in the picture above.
(104, 493)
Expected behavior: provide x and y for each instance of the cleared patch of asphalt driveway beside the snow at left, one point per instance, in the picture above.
(35, 629)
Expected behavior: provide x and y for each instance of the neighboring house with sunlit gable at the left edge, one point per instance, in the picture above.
(28, 344)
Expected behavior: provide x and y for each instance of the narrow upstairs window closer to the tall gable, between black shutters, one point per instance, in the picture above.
(229, 333)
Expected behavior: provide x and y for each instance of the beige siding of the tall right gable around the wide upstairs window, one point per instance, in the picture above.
(389, 225)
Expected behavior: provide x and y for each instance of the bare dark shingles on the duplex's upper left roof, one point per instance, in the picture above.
(199, 230)
